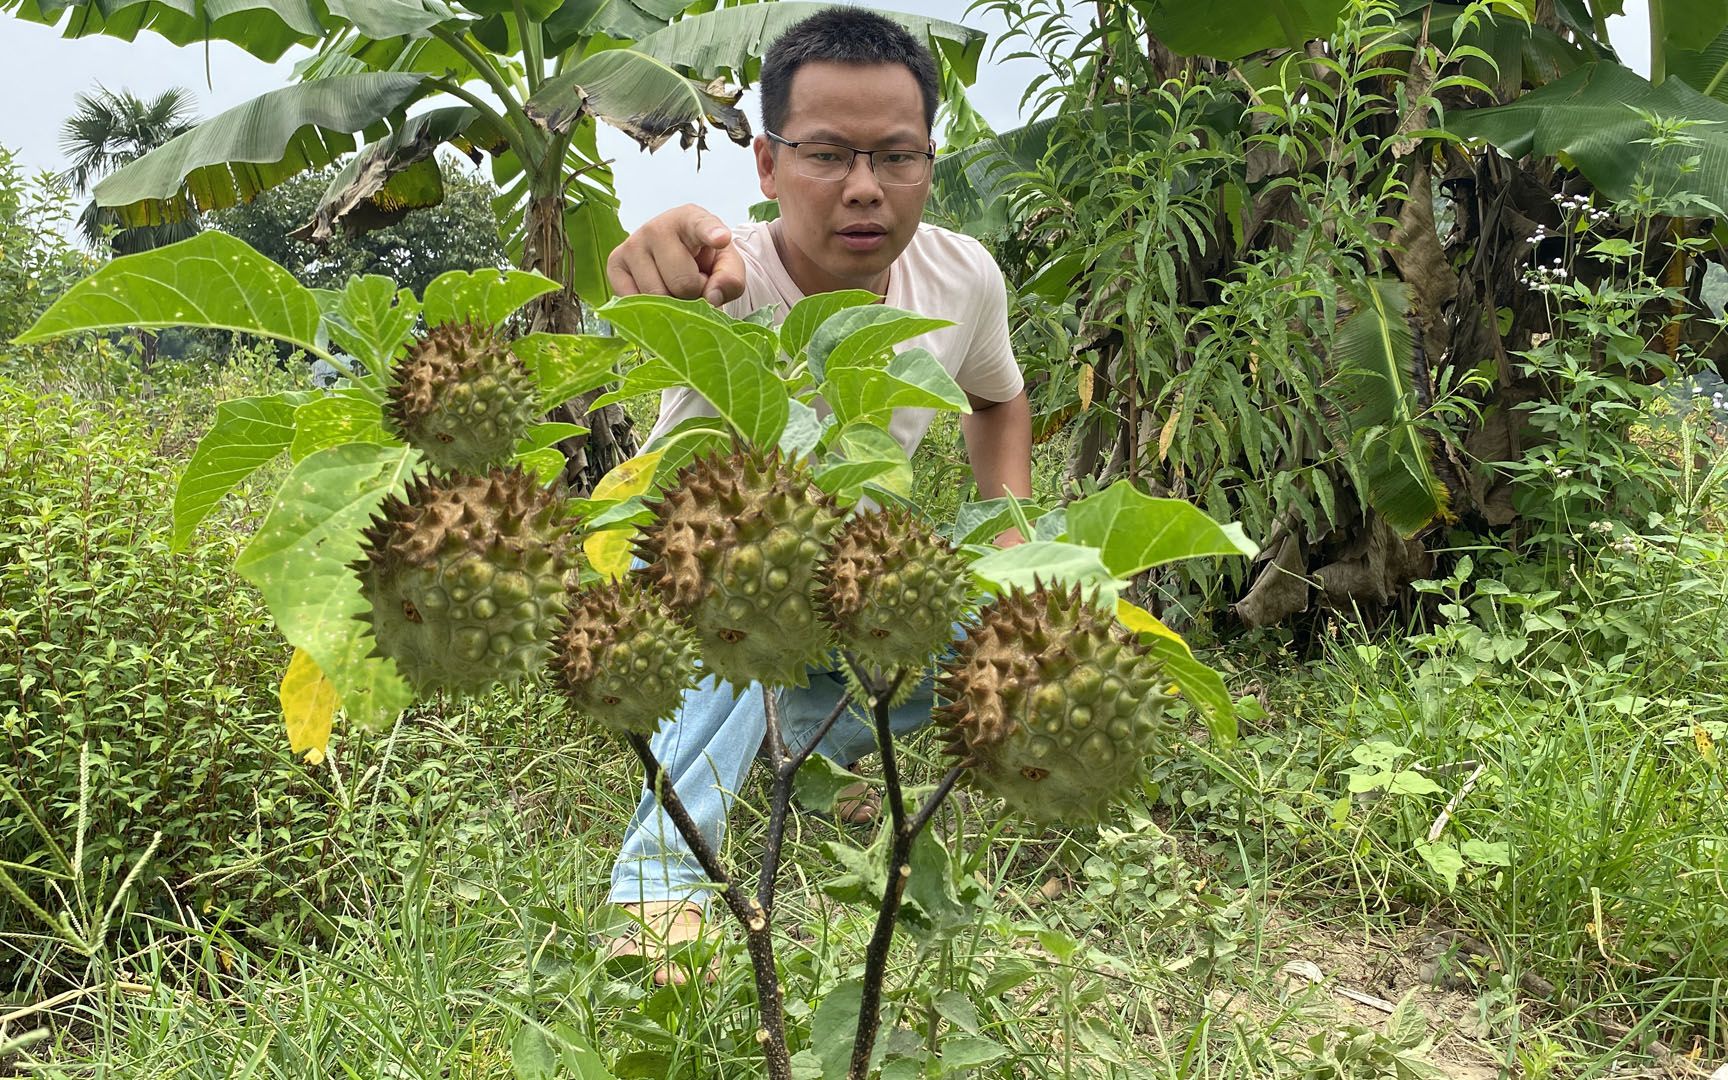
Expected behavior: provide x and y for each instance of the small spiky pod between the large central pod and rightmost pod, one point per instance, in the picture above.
(893, 590)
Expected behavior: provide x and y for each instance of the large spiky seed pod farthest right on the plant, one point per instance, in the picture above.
(1053, 706)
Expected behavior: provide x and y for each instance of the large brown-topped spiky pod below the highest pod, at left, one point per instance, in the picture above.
(464, 578)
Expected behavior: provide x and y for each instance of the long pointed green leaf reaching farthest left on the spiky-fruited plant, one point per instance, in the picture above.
(210, 281)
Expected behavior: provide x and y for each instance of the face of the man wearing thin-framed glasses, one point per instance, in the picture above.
(844, 234)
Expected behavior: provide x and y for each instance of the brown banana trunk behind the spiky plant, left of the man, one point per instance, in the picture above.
(611, 436)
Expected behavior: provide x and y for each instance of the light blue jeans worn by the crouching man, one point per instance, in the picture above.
(708, 751)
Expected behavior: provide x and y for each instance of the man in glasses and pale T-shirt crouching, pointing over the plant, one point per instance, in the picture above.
(848, 110)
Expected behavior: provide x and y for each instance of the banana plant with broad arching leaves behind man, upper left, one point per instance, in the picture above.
(521, 82)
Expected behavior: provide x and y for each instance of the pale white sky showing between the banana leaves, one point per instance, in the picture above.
(46, 72)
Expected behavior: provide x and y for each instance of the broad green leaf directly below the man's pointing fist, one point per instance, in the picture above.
(727, 362)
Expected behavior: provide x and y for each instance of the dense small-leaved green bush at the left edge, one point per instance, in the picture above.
(162, 664)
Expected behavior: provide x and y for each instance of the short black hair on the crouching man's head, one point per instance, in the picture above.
(844, 35)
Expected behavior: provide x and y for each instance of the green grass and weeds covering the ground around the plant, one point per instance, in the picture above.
(414, 906)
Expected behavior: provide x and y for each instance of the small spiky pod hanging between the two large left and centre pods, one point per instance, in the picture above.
(623, 659)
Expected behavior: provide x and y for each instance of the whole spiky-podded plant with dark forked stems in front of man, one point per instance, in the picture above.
(421, 545)
